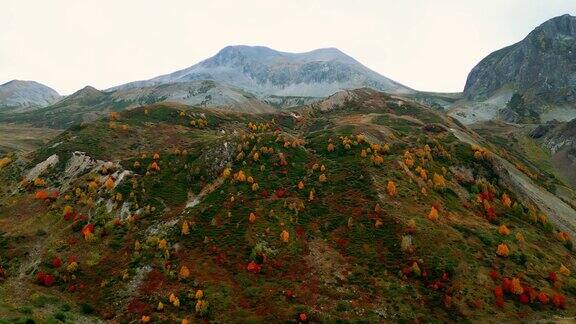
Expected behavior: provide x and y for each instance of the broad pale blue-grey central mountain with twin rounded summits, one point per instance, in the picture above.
(266, 72)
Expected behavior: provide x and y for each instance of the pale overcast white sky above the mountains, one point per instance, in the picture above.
(425, 44)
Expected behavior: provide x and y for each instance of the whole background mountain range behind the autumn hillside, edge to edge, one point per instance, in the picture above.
(531, 81)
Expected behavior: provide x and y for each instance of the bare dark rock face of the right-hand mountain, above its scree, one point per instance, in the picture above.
(542, 67)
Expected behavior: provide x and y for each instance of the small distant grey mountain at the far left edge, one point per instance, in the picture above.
(22, 95)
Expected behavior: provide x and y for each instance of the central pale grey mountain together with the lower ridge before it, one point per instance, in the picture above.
(241, 78)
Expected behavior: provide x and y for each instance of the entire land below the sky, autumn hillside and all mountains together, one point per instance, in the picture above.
(266, 186)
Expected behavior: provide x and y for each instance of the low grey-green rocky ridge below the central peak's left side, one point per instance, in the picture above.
(89, 104)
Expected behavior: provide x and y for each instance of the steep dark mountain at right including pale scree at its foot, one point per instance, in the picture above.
(540, 70)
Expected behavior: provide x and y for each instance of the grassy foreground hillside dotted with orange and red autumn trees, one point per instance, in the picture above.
(366, 209)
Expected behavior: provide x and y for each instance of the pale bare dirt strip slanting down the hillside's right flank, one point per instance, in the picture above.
(557, 210)
